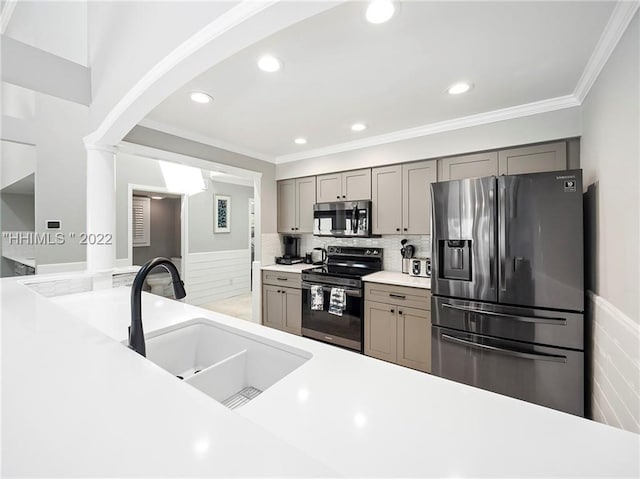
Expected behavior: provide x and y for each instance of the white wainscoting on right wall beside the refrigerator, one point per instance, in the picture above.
(615, 365)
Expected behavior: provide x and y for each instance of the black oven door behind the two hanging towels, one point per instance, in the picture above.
(345, 330)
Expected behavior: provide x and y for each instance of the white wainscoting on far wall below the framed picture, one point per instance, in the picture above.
(217, 275)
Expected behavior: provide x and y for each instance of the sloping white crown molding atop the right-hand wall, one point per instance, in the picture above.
(618, 22)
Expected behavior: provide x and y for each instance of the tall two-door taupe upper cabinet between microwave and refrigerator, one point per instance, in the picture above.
(401, 198)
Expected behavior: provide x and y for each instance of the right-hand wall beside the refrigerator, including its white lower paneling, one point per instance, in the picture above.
(610, 156)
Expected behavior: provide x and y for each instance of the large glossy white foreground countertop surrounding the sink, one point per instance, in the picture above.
(77, 402)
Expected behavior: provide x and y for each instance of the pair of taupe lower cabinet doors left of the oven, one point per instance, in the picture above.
(282, 308)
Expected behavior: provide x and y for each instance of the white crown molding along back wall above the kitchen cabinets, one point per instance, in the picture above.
(543, 106)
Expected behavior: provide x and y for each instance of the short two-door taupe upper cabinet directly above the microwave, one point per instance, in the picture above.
(345, 186)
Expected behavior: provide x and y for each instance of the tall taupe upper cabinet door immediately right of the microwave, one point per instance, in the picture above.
(386, 189)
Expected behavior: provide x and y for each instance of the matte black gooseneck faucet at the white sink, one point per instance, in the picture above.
(136, 334)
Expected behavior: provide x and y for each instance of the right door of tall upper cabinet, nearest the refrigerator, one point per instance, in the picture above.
(416, 197)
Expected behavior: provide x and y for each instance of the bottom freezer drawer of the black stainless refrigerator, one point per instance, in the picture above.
(550, 377)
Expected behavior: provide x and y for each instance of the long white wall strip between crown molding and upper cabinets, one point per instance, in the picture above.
(558, 124)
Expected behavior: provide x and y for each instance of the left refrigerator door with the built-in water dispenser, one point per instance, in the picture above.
(464, 256)
